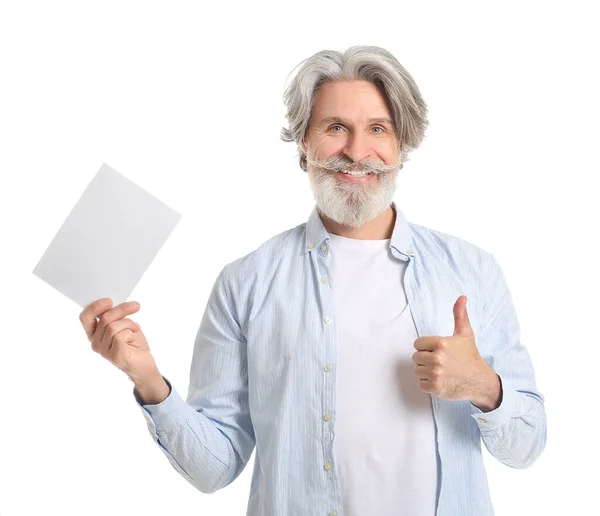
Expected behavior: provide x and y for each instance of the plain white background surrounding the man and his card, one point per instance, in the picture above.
(186, 100)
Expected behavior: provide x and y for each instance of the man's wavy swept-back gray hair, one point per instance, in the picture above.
(369, 63)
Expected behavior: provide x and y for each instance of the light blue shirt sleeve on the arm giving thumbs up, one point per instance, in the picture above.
(514, 432)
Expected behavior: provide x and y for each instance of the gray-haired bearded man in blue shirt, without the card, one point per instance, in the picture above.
(342, 349)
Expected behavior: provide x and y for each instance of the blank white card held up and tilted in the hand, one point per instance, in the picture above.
(108, 240)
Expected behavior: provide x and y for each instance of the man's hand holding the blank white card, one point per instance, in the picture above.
(122, 342)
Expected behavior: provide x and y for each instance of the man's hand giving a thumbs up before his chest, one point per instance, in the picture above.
(452, 368)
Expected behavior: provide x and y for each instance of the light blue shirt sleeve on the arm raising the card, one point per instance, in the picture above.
(209, 438)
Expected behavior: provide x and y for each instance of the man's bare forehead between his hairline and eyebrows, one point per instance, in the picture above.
(359, 100)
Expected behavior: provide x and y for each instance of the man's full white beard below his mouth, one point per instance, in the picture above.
(352, 204)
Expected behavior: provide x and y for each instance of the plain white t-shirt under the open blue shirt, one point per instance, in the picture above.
(384, 431)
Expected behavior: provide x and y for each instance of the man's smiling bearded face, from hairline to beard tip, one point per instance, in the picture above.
(351, 130)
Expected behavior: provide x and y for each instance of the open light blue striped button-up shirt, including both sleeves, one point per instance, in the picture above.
(263, 375)
